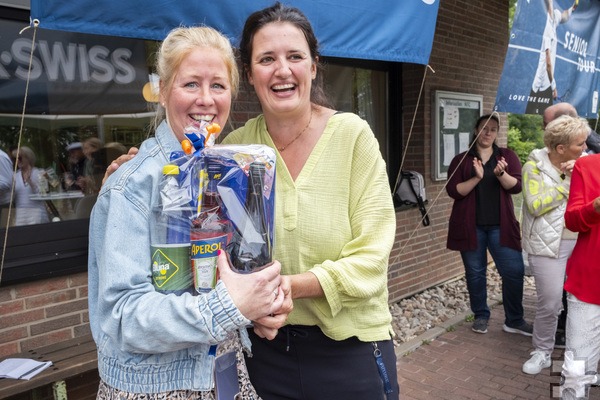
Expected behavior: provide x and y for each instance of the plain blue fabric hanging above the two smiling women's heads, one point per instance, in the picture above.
(387, 30)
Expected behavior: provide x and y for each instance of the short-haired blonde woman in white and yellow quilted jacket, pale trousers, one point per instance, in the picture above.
(546, 182)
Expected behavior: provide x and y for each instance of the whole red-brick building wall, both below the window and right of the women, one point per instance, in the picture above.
(468, 53)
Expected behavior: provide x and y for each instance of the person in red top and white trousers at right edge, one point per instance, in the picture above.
(583, 280)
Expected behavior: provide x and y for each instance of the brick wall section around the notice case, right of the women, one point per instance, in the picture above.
(467, 56)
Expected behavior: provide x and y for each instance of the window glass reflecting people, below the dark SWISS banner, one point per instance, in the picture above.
(62, 161)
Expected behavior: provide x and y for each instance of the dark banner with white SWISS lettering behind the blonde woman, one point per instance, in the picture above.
(70, 73)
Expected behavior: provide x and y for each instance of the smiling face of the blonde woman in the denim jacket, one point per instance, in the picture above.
(201, 90)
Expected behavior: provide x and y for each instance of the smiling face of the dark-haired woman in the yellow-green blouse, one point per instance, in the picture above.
(281, 68)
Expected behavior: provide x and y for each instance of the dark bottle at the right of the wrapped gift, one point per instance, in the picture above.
(250, 247)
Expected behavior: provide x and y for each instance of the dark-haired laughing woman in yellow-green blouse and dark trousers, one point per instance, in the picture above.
(335, 224)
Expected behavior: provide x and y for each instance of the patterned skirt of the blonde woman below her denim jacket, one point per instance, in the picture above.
(232, 343)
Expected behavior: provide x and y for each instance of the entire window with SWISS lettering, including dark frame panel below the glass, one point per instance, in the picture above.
(66, 139)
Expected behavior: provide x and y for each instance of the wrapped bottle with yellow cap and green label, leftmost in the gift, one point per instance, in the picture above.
(170, 232)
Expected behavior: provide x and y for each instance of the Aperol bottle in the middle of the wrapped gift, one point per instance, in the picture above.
(211, 230)
